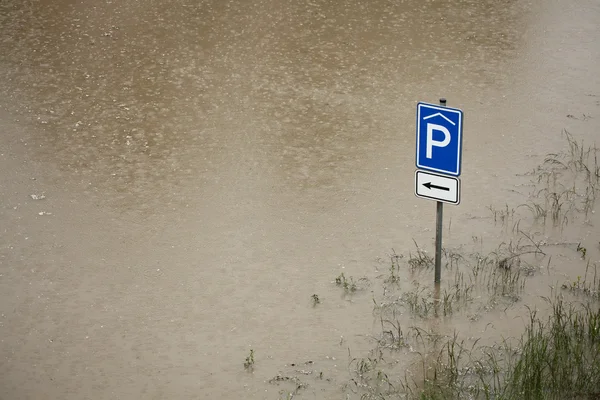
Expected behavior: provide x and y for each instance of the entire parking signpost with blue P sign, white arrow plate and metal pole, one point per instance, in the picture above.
(439, 149)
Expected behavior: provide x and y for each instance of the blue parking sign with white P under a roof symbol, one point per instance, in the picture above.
(439, 138)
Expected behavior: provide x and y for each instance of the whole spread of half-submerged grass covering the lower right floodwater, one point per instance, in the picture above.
(558, 354)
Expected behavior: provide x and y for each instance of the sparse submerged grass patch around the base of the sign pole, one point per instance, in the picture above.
(501, 274)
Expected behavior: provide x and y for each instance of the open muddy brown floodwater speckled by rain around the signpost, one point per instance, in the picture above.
(203, 167)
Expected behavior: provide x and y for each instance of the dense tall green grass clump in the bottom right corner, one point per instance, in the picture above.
(560, 358)
